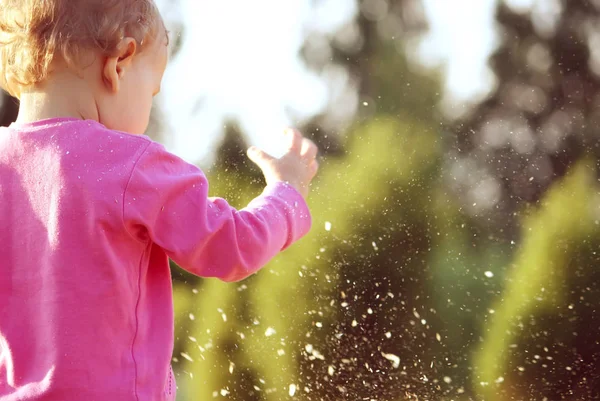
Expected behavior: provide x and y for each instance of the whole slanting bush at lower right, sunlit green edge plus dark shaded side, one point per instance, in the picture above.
(542, 342)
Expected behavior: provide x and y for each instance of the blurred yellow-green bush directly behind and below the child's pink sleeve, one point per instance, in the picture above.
(285, 307)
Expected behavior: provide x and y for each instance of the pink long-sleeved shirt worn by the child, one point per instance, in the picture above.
(88, 220)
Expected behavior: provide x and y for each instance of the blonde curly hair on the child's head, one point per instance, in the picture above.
(33, 33)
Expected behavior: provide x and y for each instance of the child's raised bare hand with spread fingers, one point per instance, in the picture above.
(298, 166)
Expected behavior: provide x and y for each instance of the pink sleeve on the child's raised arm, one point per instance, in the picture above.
(166, 201)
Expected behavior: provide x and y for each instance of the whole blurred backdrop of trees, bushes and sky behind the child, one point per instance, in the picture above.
(456, 236)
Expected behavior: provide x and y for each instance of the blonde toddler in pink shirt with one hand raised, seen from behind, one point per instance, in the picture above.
(92, 210)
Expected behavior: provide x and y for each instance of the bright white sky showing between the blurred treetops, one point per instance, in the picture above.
(245, 64)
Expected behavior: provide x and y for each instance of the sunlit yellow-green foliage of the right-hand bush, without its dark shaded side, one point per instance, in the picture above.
(552, 235)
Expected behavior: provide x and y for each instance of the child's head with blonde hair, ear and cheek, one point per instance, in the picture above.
(108, 56)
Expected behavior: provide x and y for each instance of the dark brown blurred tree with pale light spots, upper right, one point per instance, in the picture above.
(542, 115)
